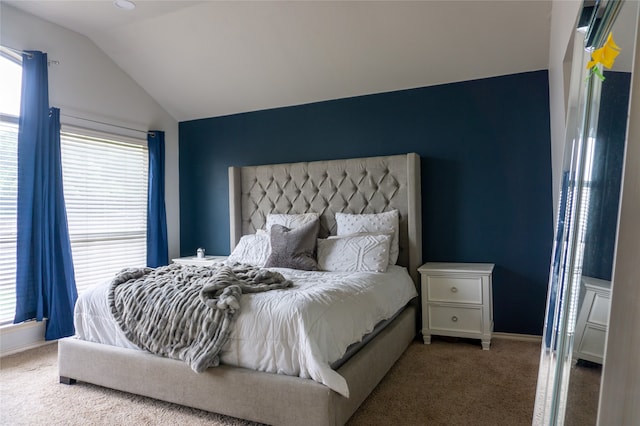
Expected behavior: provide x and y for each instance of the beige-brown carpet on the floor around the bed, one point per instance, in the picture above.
(450, 382)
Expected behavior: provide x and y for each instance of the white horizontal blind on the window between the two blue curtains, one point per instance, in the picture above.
(105, 189)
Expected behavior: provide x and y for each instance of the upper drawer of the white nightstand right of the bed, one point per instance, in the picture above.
(454, 289)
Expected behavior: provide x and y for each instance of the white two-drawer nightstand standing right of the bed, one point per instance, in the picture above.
(457, 300)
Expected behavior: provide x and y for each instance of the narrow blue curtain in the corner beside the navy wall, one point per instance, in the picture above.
(157, 246)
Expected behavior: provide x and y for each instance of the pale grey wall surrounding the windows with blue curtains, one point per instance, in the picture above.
(88, 84)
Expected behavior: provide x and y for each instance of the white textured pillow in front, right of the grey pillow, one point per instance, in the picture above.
(355, 253)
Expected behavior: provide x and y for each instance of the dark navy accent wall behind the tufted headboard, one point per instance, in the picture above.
(486, 173)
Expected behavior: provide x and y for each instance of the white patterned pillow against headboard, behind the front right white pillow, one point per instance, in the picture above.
(387, 222)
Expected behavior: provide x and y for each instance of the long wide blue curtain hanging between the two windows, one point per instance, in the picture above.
(45, 283)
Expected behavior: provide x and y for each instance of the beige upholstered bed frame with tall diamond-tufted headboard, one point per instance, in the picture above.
(363, 185)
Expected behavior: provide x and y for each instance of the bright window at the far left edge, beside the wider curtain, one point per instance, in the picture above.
(10, 87)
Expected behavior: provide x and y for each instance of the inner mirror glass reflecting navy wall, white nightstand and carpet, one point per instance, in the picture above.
(600, 236)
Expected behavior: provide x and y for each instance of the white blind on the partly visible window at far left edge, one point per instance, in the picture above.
(8, 218)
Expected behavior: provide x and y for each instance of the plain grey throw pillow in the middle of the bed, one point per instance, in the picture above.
(294, 248)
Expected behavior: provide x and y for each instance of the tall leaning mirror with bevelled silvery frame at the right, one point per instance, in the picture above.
(579, 283)
